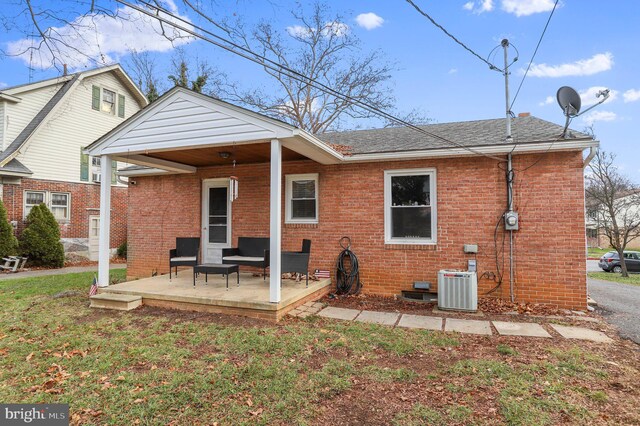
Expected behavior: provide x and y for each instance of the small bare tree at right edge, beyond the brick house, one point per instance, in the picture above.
(618, 203)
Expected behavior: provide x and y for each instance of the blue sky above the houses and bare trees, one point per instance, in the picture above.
(588, 46)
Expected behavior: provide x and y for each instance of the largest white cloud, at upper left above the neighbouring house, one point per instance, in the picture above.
(103, 39)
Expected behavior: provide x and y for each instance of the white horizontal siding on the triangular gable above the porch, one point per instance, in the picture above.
(196, 123)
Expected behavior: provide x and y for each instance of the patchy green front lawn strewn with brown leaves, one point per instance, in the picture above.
(153, 366)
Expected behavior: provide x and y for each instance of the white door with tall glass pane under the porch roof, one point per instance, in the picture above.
(216, 219)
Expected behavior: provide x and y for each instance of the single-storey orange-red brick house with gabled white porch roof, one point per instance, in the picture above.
(409, 201)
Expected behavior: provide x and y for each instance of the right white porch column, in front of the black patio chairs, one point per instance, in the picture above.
(275, 225)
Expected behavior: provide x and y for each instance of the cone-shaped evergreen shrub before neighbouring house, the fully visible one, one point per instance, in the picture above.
(40, 241)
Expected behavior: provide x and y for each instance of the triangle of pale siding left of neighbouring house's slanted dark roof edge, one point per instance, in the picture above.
(20, 114)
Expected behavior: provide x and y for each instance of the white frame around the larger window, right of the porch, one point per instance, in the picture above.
(433, 198)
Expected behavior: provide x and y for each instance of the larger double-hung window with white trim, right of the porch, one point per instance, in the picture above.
(410, 206)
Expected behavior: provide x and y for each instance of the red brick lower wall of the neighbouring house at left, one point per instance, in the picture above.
(85, 202)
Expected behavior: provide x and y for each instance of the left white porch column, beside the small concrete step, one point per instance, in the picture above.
(105, 221)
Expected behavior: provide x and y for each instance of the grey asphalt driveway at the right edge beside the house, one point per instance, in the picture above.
(619, 304)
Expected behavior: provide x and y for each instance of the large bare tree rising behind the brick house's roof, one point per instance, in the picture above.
(320, 46)
